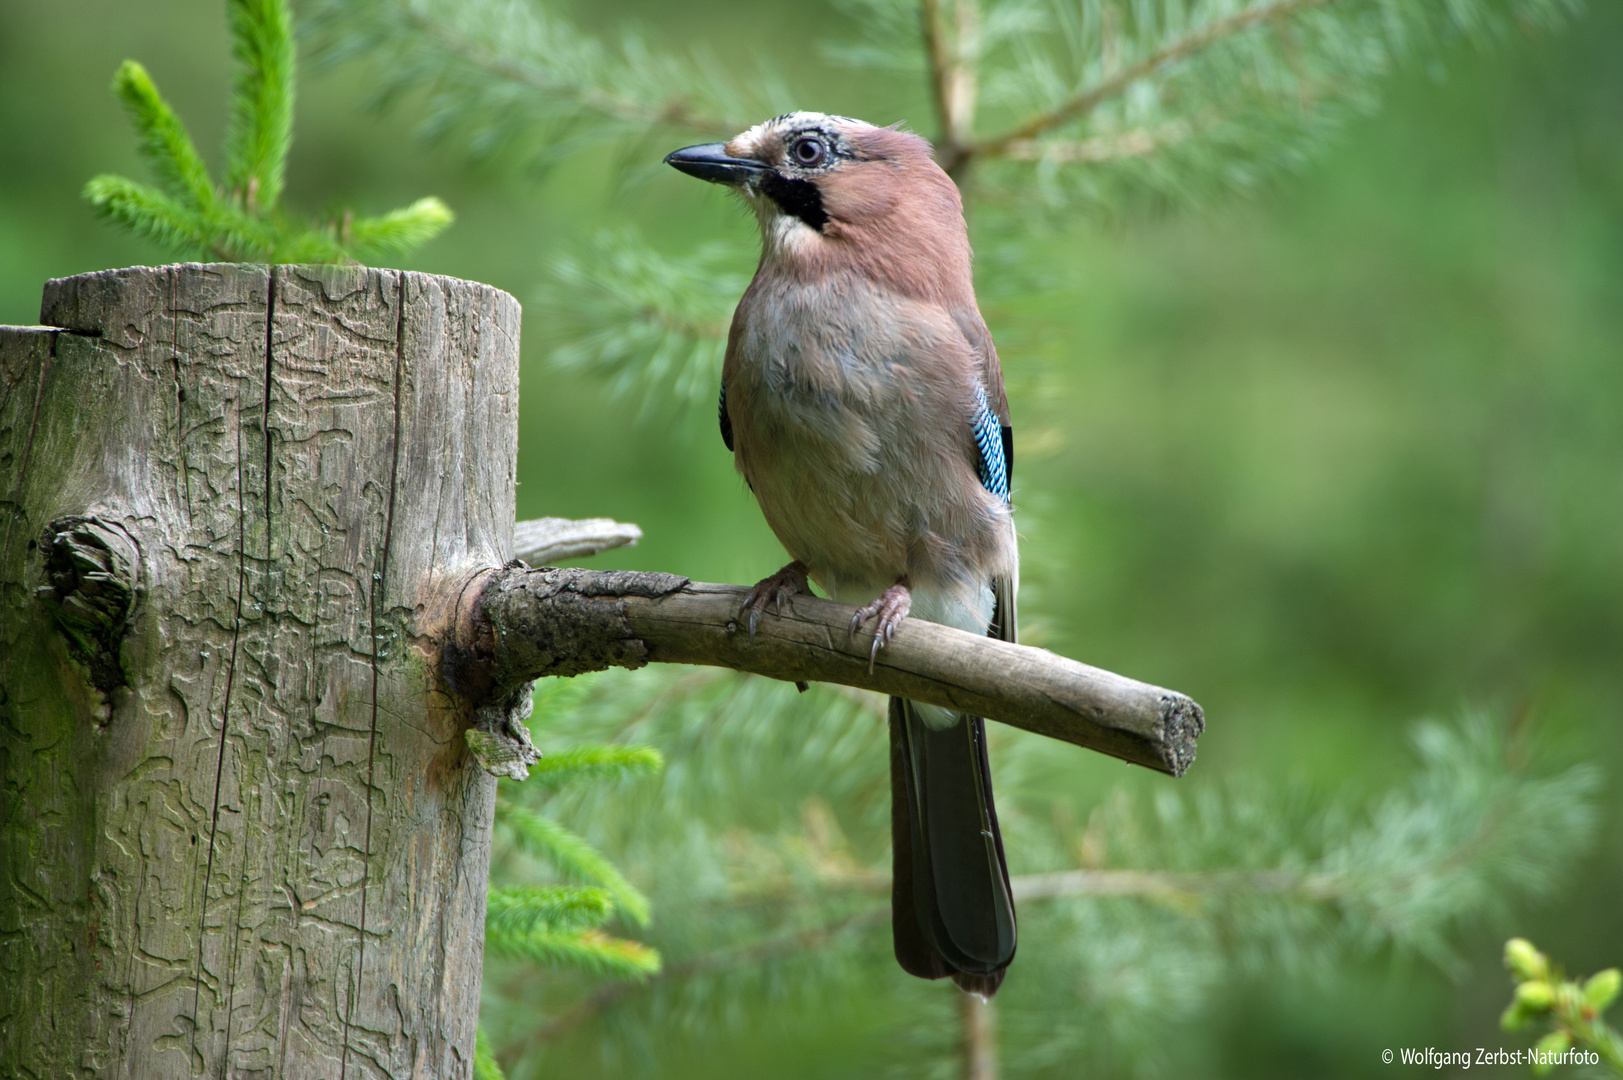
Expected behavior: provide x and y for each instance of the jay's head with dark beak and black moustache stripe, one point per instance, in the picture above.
(827, 189)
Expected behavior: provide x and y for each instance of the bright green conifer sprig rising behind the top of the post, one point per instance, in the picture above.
(244, 222)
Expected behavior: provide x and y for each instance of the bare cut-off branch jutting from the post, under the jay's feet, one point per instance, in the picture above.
(564, 623)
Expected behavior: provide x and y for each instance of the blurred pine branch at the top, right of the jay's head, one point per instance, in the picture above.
(1113, 100)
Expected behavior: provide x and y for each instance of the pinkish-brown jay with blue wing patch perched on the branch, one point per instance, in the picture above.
(864, 405)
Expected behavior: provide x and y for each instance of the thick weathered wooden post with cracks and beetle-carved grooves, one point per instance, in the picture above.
(243, 834)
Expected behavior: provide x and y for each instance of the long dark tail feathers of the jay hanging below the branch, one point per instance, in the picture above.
(952, 909)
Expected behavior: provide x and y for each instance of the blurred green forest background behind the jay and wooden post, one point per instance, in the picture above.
(1333, 454)
